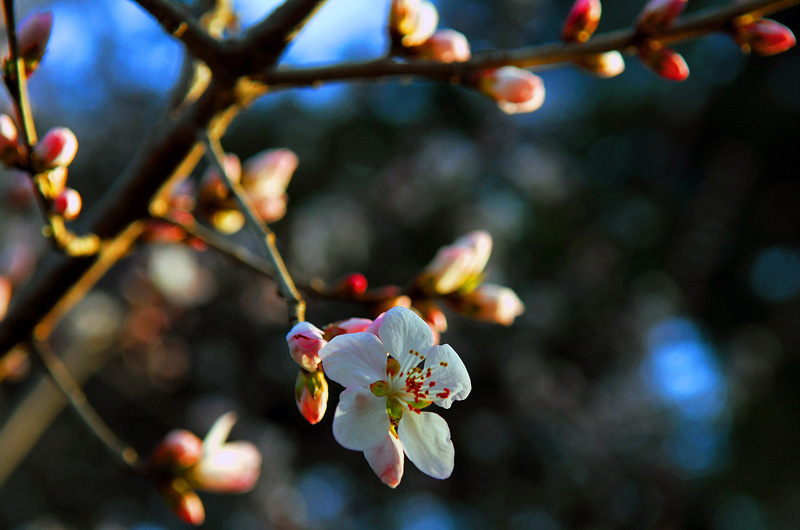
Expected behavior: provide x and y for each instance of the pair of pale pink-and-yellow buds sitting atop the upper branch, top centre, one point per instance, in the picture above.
(412, 28)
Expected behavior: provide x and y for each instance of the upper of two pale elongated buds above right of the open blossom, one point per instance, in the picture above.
(455, 265)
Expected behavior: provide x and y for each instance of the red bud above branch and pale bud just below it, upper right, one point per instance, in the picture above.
(581, 23)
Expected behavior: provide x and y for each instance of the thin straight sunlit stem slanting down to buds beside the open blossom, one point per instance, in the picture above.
(286, 287)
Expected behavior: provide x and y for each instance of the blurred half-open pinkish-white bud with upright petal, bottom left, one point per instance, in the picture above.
(226, 467)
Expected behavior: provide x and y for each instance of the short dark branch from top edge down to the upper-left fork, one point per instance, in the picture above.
(178, 22)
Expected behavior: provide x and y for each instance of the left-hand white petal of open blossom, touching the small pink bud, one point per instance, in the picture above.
(354, 359)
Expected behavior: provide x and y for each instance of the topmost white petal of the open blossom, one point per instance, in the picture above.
(402, 332)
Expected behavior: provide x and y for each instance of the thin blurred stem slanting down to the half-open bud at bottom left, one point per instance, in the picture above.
(77, 399)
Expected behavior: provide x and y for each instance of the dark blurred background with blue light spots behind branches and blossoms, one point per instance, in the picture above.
(651, 228)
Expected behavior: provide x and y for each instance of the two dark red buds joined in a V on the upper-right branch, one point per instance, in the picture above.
(656, 17)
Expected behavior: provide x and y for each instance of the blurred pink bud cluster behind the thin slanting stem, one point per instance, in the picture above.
(263, 177)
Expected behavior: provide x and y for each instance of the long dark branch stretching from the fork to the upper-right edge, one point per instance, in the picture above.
(686, 28)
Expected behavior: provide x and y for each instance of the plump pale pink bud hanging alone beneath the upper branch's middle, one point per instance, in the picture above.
(515, 90)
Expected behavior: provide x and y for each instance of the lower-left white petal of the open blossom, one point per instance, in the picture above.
(360, 421)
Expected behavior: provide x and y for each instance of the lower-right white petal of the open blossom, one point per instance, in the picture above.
(426, 439)
